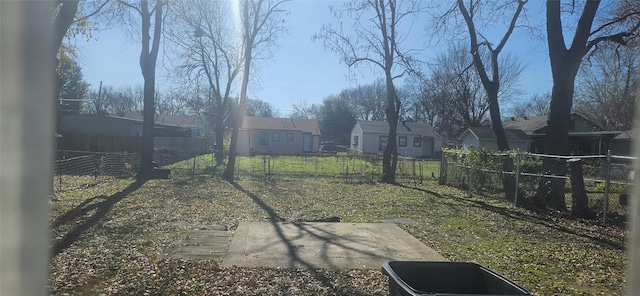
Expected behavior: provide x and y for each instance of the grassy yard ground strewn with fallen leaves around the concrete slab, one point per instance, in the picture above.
(108, 238)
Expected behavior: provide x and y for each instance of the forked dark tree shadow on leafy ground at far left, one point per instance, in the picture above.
(102, 209)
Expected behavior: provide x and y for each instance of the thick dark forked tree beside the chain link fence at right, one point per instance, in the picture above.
(617, 23)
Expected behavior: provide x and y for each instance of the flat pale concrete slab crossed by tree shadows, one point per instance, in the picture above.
(323, 245)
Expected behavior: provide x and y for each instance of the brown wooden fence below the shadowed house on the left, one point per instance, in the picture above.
(132, 144)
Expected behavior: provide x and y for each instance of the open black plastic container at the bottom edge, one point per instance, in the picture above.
(413, 278)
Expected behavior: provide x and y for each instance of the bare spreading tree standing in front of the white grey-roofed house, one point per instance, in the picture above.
(374, 37)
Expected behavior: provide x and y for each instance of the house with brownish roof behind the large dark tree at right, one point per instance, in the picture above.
(585, 138)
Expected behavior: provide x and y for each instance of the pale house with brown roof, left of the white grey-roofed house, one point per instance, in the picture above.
(278, 135)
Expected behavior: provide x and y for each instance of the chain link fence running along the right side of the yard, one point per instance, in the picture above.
(592, 187)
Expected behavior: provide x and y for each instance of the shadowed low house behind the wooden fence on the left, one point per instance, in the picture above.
(100, 125)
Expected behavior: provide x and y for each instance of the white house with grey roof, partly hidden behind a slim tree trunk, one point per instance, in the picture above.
(414, 139)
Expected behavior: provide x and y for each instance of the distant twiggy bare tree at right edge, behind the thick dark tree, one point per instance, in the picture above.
(607, 85)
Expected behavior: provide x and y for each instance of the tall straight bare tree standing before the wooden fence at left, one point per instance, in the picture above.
(151, 18)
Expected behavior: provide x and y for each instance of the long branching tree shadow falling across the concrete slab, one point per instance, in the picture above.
(275, 220)
